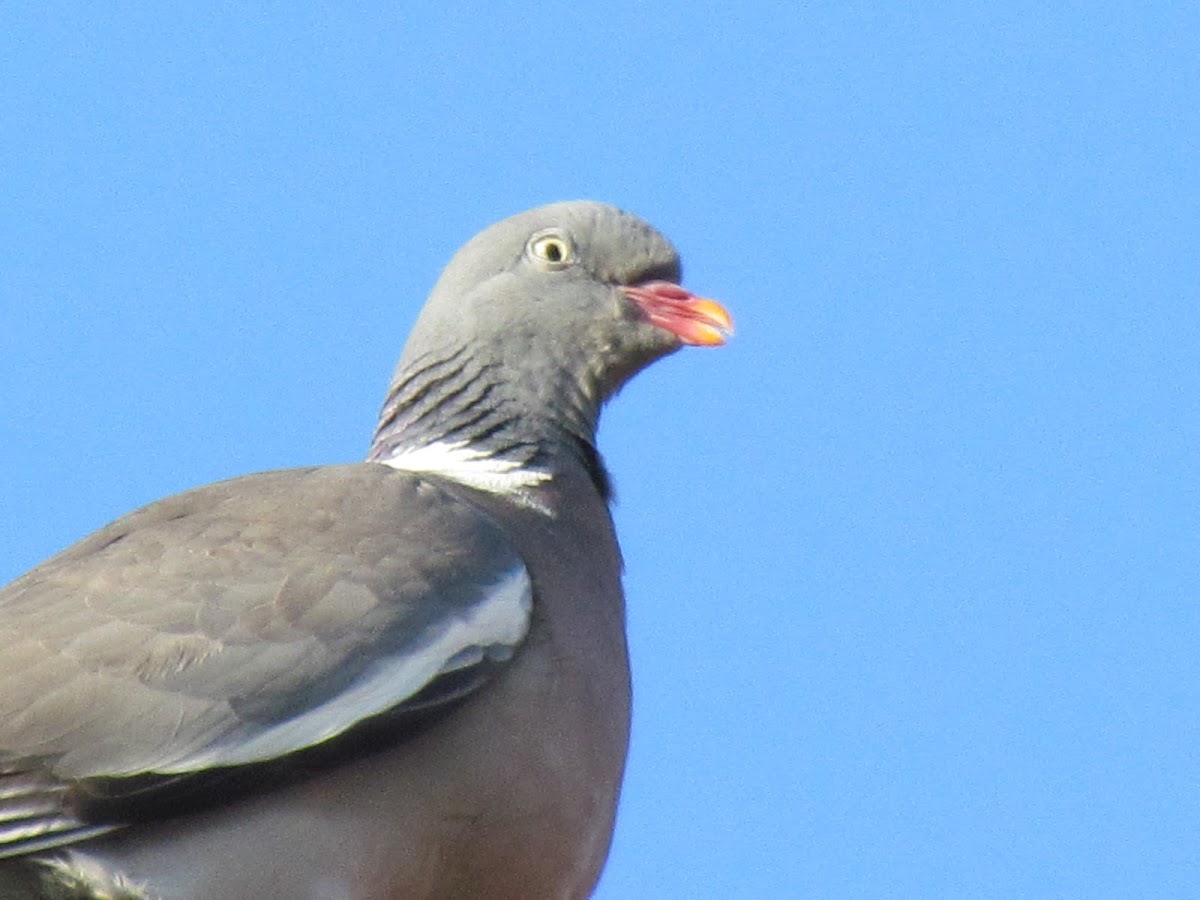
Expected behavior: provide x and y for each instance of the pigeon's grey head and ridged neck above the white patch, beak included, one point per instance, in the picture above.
(532, 327)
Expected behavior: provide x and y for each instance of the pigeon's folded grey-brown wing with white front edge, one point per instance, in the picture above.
(244, 622)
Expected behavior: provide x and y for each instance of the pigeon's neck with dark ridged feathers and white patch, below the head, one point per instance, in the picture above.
(453, 416)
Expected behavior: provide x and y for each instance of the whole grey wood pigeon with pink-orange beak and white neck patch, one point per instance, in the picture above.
(399, 679)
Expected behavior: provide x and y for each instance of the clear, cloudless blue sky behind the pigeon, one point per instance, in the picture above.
(913, 563)
